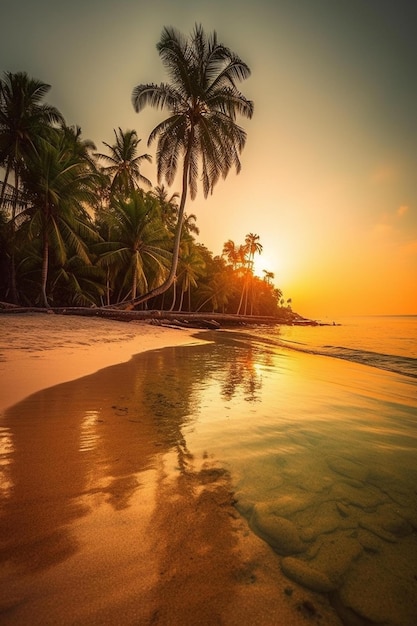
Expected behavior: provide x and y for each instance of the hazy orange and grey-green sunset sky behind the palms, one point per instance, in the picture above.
(329, 172)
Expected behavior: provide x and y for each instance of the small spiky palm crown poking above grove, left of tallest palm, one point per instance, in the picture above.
(124, 163)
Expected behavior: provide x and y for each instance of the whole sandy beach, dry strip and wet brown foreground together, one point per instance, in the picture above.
(107, 518)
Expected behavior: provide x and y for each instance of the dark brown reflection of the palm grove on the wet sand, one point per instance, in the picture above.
(91, 443)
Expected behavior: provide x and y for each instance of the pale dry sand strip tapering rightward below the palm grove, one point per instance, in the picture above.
(57, 358)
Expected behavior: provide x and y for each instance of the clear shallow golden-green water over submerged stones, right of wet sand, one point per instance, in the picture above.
(323, 452)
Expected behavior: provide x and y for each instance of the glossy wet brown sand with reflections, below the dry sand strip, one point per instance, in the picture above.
(109, 517)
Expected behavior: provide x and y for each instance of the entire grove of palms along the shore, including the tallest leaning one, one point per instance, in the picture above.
(80, 227)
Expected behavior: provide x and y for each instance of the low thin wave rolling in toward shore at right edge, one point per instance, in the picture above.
(406, 366)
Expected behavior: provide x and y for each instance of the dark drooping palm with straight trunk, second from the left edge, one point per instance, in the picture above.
(58, 181)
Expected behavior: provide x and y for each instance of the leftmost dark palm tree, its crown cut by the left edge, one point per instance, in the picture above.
(23, 119)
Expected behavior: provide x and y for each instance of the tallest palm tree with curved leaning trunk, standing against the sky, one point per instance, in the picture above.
(203, 103)
